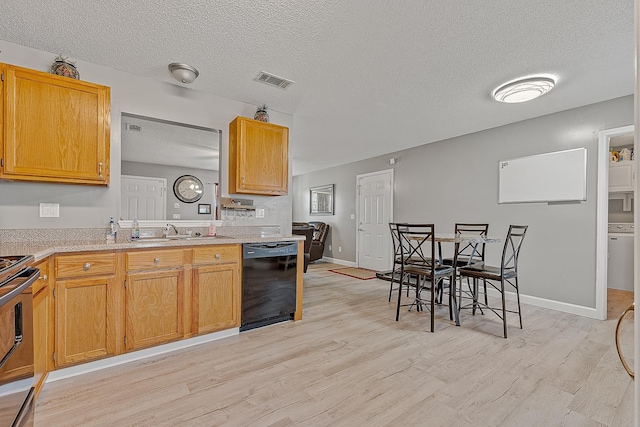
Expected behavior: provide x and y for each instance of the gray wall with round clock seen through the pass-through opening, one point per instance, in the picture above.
(171, 173)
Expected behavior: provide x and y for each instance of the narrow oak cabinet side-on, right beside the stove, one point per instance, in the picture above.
(42, 326)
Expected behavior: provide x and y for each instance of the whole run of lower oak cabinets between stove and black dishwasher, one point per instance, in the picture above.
(108, 303)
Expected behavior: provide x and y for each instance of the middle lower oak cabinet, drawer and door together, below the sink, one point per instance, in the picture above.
(154, 297)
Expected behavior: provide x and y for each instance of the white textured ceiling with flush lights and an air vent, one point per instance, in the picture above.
(371, 76)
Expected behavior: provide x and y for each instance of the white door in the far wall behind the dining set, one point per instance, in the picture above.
(375, 207)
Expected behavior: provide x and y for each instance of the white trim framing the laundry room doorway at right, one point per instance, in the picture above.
(602, 216)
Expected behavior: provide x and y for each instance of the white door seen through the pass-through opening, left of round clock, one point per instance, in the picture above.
(143, 198)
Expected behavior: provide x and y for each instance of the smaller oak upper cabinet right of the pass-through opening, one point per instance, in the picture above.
(258, 158)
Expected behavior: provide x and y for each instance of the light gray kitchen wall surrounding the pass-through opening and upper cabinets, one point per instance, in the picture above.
(83, 206)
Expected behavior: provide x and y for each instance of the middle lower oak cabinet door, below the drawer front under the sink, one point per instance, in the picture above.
(154, 308)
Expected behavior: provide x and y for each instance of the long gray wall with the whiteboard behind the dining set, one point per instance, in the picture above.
(457, 181)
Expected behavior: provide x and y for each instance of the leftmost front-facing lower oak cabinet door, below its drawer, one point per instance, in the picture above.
(85, 320)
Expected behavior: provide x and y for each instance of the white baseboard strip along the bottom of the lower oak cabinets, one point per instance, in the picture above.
(137, 355)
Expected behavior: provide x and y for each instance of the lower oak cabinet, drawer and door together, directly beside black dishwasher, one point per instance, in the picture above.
(216, 288)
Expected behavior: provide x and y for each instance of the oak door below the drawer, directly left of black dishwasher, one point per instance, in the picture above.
(216, 298)
